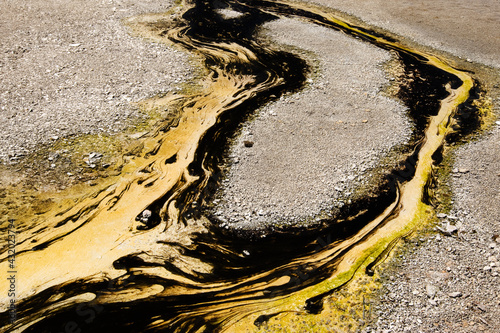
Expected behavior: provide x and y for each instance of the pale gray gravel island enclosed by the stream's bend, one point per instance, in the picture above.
(312, 149)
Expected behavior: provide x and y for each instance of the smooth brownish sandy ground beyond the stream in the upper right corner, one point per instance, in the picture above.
(468, 29)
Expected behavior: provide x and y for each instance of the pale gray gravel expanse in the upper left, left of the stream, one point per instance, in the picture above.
(71, 67)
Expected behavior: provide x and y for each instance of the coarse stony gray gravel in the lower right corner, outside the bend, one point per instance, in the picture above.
(450, 283)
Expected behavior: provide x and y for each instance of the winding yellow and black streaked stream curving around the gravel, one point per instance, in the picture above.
(103, 265)
